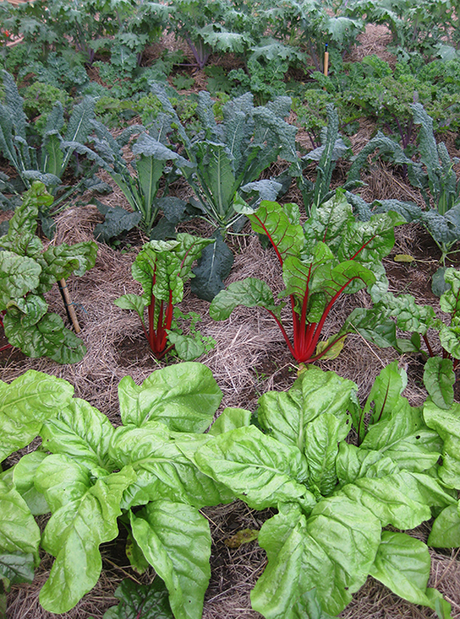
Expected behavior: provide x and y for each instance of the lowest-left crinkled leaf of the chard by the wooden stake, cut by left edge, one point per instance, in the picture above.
(18, 275)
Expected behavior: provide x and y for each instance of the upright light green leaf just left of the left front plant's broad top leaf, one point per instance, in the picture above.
(81, 432)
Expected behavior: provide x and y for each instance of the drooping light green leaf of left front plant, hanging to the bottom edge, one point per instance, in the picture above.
(164, 531)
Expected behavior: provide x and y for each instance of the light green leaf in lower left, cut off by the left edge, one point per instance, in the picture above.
(18, 530)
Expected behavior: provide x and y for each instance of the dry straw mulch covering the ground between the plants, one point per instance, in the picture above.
(250, 358)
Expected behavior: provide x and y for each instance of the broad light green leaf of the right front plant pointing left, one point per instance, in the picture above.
(257, 468)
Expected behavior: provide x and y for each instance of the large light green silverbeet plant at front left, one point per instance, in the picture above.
(93, 477)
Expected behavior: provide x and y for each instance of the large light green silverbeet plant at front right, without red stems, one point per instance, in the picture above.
(335, 500)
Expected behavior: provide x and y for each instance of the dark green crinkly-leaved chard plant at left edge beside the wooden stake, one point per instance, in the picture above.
(27, 273)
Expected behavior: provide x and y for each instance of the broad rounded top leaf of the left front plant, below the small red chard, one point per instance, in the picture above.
(183, 396)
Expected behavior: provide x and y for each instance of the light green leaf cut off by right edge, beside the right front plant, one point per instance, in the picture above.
(447, 424)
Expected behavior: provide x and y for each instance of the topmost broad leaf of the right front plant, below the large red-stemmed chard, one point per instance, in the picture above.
(286, 415)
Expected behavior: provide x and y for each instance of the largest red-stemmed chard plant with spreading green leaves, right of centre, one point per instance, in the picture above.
(330, 255)
